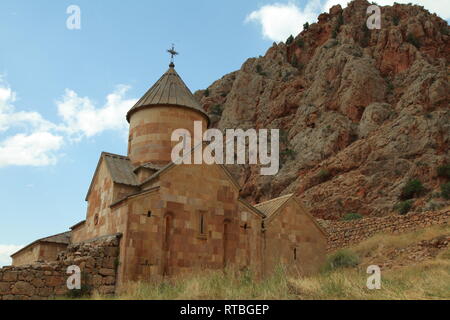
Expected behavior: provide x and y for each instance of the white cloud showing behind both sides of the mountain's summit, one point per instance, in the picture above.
(279, 20)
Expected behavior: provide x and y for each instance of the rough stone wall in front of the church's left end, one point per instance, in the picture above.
(97, 260)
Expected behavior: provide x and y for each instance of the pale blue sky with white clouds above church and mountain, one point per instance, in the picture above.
(64, 92)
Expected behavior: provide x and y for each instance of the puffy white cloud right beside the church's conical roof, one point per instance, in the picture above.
(82, 118)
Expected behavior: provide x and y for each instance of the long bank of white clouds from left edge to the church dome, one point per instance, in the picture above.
(27, 139)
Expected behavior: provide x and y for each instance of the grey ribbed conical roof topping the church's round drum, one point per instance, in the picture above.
(168, 90)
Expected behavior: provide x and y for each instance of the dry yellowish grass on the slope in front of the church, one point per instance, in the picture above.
(426, 280)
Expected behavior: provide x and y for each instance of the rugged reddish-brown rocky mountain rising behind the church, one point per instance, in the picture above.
(361, 112)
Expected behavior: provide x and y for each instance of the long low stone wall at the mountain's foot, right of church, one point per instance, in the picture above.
(342, 234)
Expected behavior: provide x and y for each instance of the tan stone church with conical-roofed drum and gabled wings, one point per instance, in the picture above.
(176, 219)
